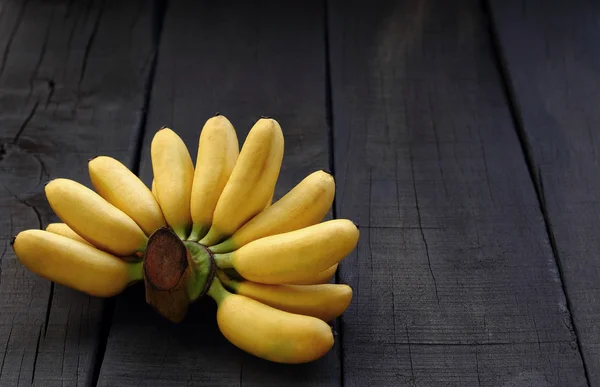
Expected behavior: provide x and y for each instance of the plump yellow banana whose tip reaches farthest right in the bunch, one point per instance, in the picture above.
(293, 256)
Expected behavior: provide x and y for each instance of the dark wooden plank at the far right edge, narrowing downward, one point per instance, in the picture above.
(551, 58)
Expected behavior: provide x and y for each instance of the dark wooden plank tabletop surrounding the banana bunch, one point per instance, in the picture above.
(463, 136)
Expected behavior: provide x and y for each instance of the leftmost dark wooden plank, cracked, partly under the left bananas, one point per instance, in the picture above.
(72, 79)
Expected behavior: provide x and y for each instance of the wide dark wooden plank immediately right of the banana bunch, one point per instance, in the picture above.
(454, 277)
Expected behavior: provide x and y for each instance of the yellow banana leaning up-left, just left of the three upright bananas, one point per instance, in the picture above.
(123, 189)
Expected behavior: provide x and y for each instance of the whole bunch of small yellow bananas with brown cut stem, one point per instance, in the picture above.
(267, 265)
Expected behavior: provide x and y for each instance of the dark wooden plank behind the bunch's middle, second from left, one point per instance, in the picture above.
(243, 60)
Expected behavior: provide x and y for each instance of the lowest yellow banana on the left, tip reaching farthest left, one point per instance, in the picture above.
(74, 264)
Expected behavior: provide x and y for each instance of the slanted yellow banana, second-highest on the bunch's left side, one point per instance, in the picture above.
(95, 219)
